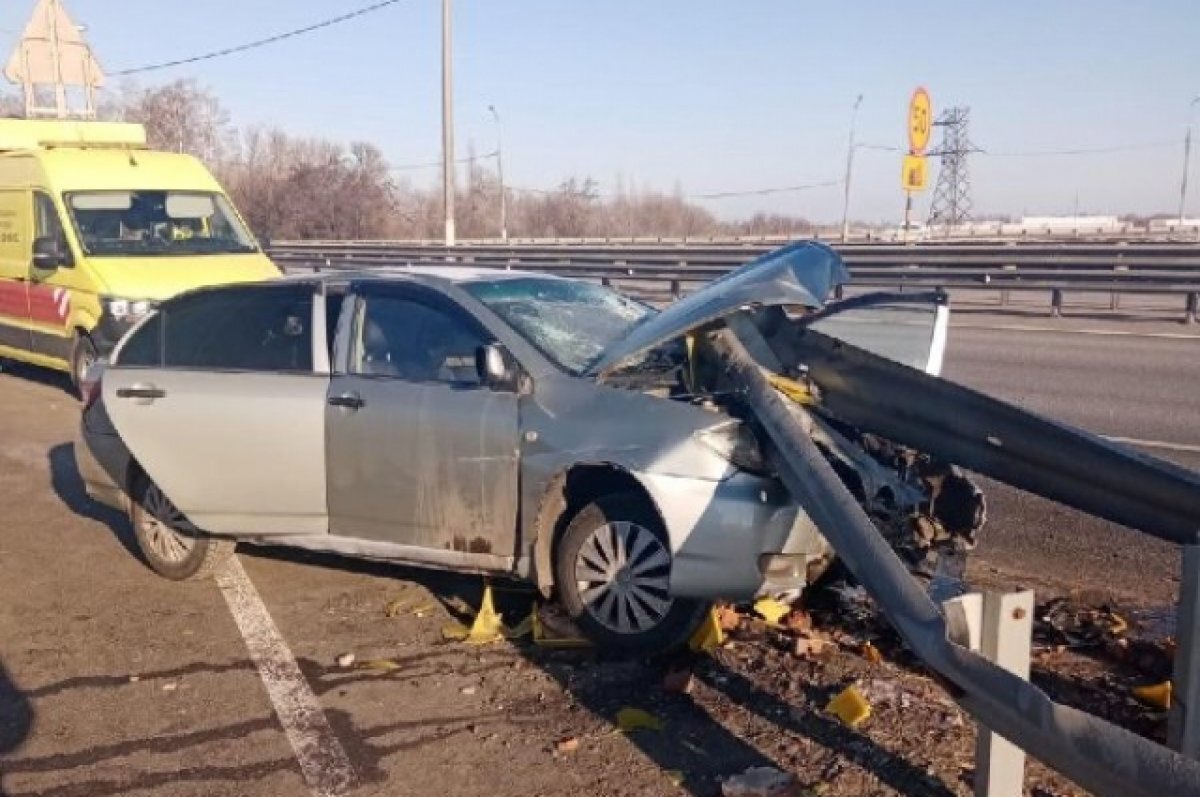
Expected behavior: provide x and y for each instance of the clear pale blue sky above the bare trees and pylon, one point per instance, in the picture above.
(711, 95)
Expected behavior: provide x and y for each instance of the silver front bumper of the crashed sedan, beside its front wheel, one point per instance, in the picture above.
(737, 538)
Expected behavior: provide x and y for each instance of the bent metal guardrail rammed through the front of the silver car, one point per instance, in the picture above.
(986, 435)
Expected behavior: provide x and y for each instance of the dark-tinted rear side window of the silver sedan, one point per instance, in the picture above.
(259, 329)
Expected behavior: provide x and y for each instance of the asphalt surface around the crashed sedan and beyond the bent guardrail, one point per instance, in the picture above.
(117, 682)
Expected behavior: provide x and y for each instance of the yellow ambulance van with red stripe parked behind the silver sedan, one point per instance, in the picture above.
(95, 229)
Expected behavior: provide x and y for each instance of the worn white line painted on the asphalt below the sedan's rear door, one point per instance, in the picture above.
(323, 762)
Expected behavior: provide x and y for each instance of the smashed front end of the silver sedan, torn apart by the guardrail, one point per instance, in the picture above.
(926, 507)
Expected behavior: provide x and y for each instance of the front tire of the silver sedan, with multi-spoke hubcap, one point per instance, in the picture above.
(621, 607)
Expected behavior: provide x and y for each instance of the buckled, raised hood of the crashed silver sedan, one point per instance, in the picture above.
(799, 274)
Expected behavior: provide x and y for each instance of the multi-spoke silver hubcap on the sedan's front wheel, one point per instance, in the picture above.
(623, 573)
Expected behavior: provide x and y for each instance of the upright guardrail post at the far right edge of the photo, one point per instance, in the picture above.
(1184, 726)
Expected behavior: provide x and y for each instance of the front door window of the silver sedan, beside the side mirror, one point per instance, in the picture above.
(410, 340)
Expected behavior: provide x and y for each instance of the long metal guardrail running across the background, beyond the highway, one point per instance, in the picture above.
(667, 269)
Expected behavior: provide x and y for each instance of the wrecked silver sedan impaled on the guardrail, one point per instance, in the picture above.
(487, 422)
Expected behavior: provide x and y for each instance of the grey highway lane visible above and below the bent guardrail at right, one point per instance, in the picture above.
(1147, 388)
